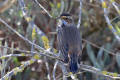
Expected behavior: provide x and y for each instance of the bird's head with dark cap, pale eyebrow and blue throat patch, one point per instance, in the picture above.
(66, 19)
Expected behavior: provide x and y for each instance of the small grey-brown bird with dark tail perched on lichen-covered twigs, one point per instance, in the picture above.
(69, 41)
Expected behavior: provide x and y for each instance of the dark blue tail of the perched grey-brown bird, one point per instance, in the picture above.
(73, 64)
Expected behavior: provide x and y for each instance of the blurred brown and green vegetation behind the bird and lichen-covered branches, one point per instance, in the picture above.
(101, 48)
